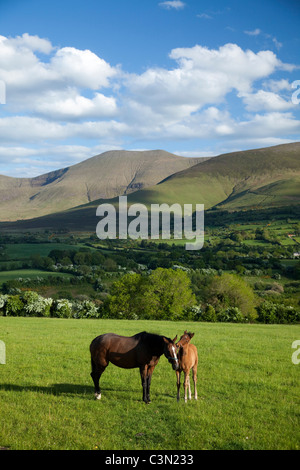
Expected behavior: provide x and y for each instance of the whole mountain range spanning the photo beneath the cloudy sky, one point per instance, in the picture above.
(67, 198)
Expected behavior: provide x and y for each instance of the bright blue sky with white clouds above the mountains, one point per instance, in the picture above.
(196, 78)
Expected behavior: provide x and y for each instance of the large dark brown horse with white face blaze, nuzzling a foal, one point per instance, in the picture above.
(142, 350)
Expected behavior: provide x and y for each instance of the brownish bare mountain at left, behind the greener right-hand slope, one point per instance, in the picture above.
(104, 176)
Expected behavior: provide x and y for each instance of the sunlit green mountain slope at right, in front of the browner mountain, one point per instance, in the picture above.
(261, 177)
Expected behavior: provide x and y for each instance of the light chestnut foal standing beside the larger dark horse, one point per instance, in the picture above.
(188, 359)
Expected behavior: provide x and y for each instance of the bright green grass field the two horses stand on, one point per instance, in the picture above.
(248, 389)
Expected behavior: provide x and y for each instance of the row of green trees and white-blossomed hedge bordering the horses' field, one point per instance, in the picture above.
(164, 294)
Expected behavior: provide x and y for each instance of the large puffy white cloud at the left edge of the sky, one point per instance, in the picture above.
(55, 87)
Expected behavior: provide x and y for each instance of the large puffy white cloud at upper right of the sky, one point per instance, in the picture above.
(202, 77)
